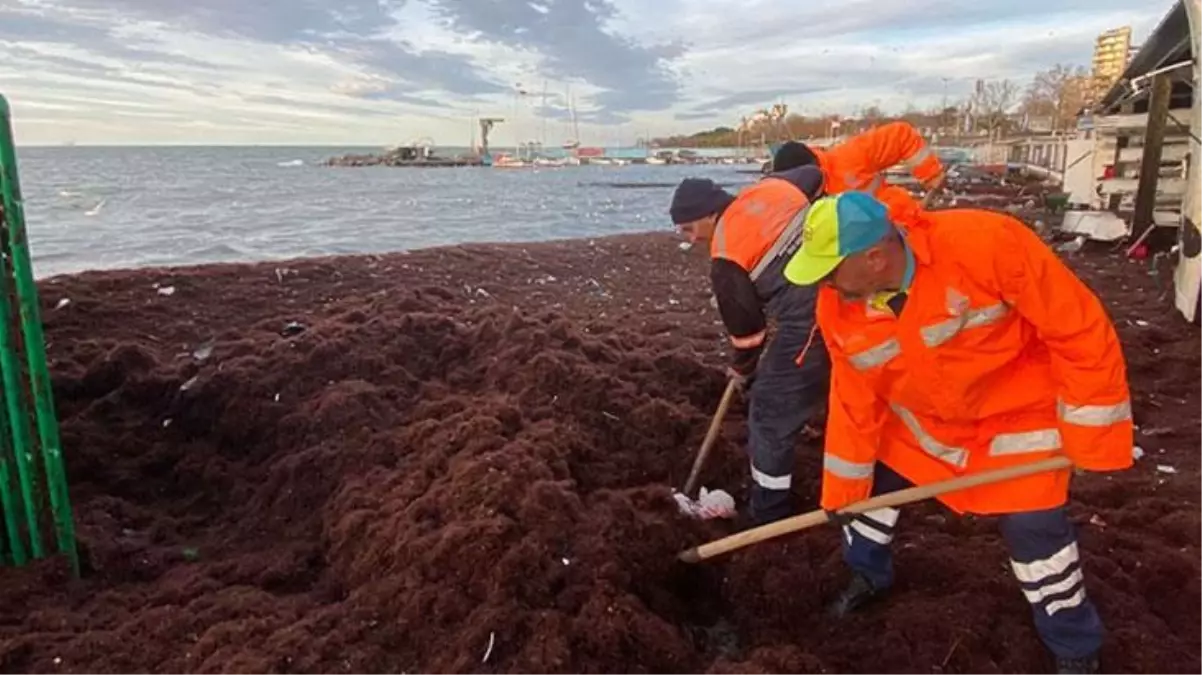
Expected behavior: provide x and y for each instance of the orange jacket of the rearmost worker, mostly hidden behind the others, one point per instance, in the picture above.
(860, 163)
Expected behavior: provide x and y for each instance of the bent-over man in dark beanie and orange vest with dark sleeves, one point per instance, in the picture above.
(751, 240)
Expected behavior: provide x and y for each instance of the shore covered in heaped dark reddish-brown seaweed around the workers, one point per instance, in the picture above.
(402, 464)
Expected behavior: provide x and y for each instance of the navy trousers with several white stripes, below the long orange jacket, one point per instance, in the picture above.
(1044, 558)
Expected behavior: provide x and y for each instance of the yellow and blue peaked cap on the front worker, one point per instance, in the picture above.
(835, 229)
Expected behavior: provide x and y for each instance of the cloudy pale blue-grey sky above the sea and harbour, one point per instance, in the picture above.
(386, 73)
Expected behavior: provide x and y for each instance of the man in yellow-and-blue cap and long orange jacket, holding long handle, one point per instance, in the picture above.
(955, 355)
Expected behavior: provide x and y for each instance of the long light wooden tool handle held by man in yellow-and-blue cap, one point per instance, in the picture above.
(897, 499)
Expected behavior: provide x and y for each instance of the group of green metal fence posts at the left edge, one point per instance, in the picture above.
(22, 282)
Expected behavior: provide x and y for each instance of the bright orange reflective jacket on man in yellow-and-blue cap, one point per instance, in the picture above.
(1001, 356)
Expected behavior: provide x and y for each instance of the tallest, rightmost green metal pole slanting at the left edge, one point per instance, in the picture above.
(35, 345)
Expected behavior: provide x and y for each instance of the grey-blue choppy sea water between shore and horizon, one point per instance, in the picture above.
(92, 208)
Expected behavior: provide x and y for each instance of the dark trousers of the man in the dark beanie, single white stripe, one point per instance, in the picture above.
(784, 397)
